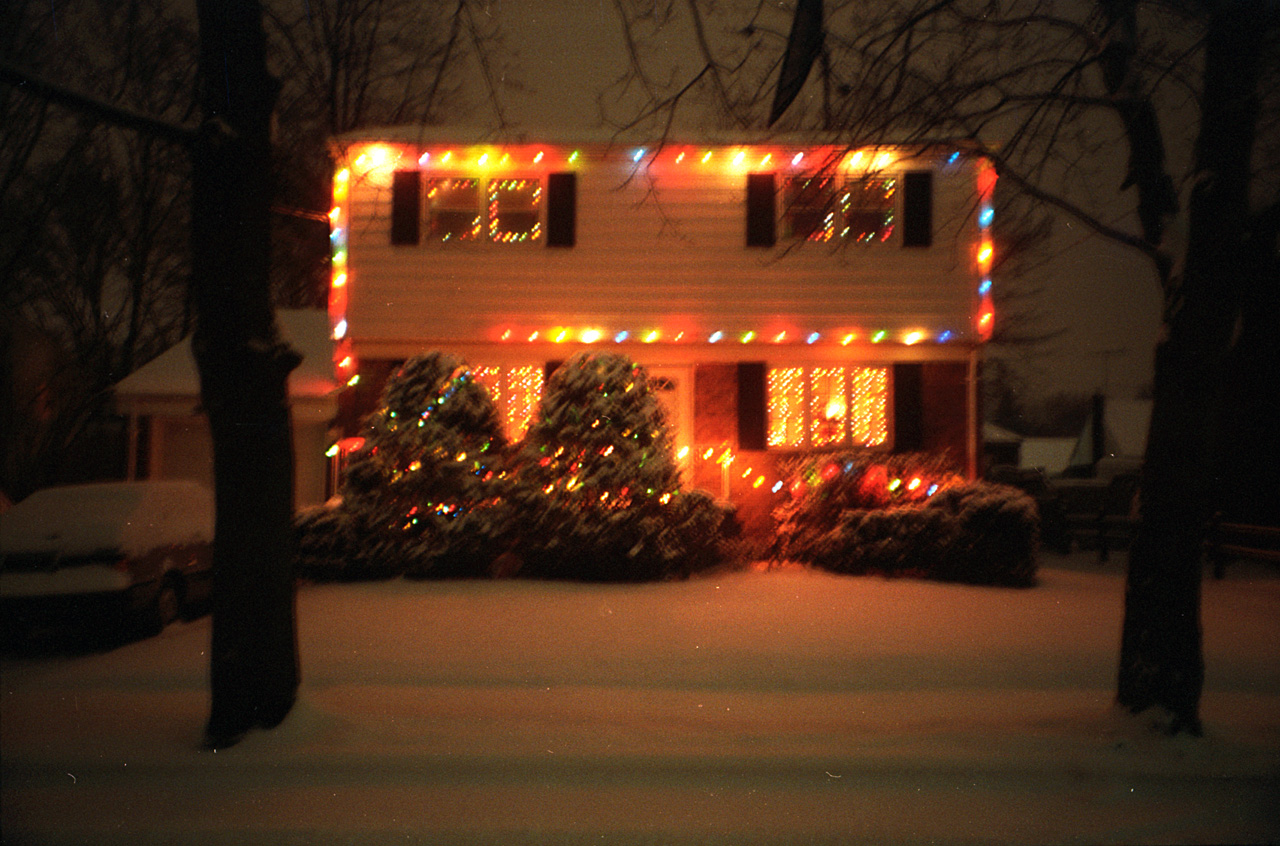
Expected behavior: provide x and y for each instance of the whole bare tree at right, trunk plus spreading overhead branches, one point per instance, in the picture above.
(1055, 94)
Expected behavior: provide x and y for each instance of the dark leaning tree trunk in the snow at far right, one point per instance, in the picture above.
(1162, 658)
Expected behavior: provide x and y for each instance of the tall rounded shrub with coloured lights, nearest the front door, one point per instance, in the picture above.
(597, 492)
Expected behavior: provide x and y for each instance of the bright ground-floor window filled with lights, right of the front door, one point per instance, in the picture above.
(828, 406)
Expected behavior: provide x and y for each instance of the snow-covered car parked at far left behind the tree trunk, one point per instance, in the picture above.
(130, 557)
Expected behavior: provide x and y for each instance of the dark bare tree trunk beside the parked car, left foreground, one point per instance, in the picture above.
(244, 373)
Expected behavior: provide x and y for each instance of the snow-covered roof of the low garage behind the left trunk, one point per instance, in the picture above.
(173, 373)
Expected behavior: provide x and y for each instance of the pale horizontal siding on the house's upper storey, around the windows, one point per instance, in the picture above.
(664, 251)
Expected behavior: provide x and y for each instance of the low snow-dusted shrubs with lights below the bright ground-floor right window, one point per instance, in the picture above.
(907, 516)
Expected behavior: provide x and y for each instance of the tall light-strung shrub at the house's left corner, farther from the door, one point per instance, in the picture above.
(423, 493)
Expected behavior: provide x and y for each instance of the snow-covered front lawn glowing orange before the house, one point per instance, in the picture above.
(783, 707)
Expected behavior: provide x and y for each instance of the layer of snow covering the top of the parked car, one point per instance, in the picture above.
(121, 516)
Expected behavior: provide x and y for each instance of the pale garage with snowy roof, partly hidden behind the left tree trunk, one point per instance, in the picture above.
(170, 435)
